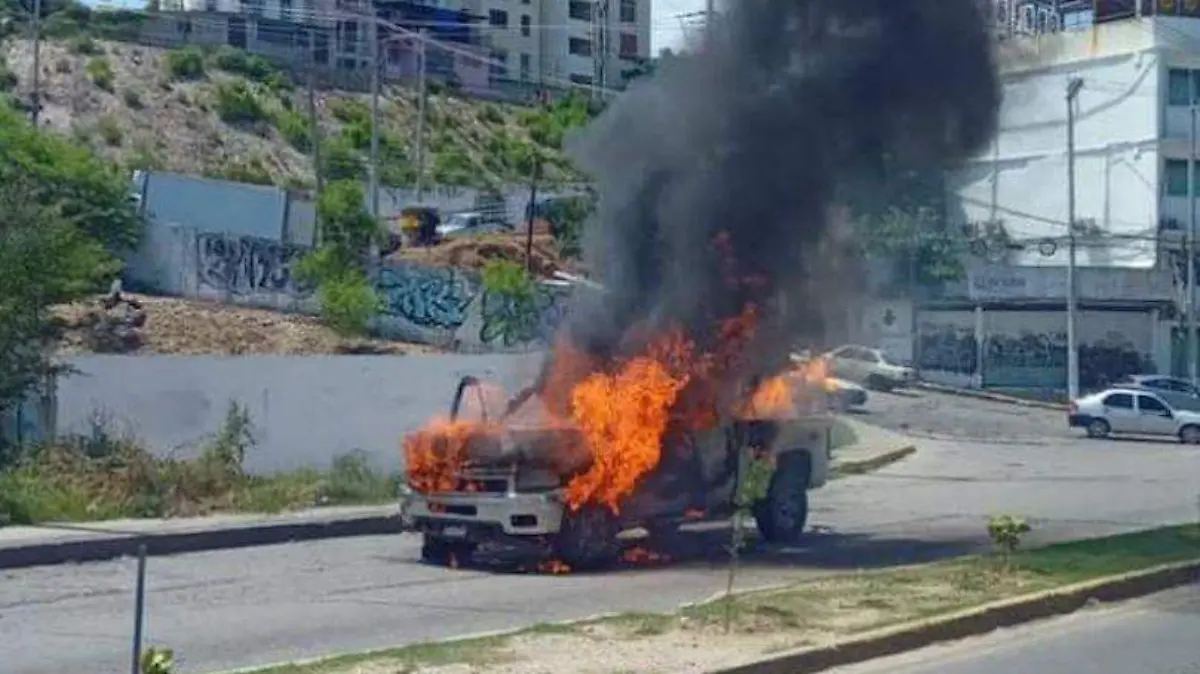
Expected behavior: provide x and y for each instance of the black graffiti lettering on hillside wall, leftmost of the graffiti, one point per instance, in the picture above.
(245, 266)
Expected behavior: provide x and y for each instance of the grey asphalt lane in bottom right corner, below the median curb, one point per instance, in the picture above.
(1151, 636)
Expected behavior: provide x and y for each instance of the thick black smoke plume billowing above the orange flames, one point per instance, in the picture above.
(755, 139)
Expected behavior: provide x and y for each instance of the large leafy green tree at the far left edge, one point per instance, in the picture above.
(67, 214)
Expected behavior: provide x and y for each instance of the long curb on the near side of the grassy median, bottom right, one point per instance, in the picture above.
(975, 622)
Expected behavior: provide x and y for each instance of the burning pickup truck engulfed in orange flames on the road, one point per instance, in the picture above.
(519, 483)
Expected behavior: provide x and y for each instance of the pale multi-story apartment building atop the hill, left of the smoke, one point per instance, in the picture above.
(563, 43)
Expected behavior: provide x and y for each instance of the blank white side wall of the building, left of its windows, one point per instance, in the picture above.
(1022, 179)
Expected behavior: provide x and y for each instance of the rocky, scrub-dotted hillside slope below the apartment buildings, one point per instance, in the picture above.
(227, 115)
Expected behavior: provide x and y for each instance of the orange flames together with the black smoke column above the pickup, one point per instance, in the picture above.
(717, 236)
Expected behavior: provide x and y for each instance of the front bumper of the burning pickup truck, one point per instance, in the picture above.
(483, 515)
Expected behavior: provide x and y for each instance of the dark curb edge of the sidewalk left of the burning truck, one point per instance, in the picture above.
(103, 547)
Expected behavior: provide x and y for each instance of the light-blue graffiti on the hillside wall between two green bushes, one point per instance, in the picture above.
(427, 297)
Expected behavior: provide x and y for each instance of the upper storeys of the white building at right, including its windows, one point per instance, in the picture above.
(1141, 76)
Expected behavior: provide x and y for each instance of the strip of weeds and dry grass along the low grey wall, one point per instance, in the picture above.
(105, 476)
